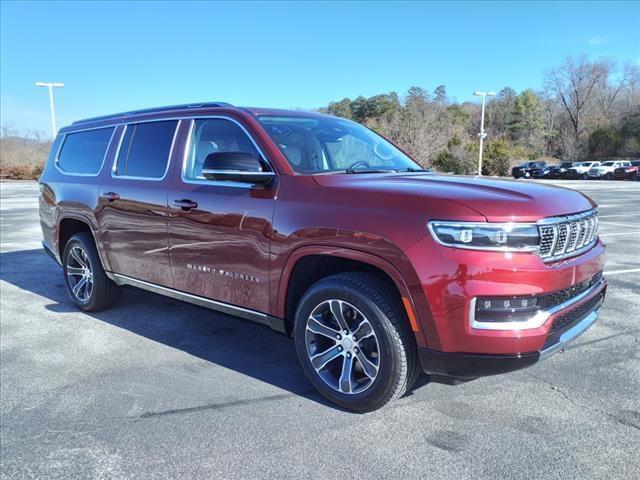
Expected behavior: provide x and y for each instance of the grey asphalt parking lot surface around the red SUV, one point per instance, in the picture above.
(160, 389)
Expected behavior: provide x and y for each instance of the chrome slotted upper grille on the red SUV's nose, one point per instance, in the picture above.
(563, 237)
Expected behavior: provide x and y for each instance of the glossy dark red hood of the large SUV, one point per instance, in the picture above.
(497, 200)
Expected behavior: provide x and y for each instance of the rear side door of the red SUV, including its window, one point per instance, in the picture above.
(132, 211)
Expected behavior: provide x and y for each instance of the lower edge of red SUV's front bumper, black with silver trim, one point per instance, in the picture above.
(469, 366)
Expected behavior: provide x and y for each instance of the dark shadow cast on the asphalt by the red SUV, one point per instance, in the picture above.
(240, 345)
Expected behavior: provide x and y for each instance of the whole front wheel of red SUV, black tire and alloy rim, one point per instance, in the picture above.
(388, 344)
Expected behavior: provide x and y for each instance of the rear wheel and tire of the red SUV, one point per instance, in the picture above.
(80, 262)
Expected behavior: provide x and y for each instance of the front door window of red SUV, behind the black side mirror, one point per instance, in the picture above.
(215, 135)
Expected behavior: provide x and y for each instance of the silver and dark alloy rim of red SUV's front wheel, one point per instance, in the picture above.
(342, 346)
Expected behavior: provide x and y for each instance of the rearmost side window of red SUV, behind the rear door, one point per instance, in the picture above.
(83, 152)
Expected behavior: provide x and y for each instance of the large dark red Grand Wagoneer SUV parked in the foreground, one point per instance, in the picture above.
(321, 229)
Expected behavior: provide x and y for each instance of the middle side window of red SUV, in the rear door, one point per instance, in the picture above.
(145, 149)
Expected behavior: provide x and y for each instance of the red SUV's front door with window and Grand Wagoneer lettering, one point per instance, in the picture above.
(220, 232)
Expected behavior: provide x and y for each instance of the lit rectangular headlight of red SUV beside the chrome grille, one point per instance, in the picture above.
(506, 237)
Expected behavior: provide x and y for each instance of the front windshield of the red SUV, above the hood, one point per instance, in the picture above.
(328, 144)
